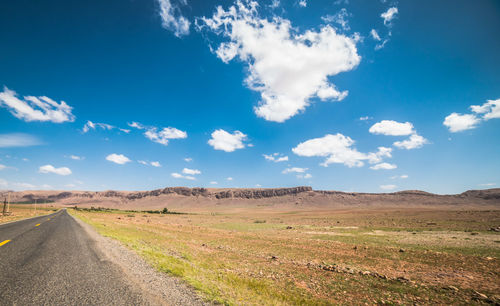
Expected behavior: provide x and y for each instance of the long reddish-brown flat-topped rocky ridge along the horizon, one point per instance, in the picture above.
(302, 197)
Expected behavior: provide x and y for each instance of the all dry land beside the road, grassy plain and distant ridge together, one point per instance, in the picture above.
(294, 246)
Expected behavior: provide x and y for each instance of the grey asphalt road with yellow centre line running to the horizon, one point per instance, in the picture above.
(51, 260)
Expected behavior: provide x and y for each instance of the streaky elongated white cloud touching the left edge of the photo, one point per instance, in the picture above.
(32, 108)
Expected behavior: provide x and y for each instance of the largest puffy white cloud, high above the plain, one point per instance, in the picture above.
(285, 67)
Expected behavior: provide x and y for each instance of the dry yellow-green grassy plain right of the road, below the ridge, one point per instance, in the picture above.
(411, 256)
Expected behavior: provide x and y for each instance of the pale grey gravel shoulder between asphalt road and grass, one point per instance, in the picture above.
(161, 288)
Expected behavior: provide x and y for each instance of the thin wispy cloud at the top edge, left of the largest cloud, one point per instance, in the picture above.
(172, 18)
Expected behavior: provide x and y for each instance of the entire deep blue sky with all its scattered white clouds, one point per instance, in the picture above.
(342, 95)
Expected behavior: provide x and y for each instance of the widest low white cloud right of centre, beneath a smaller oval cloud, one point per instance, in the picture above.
(339, 149)
